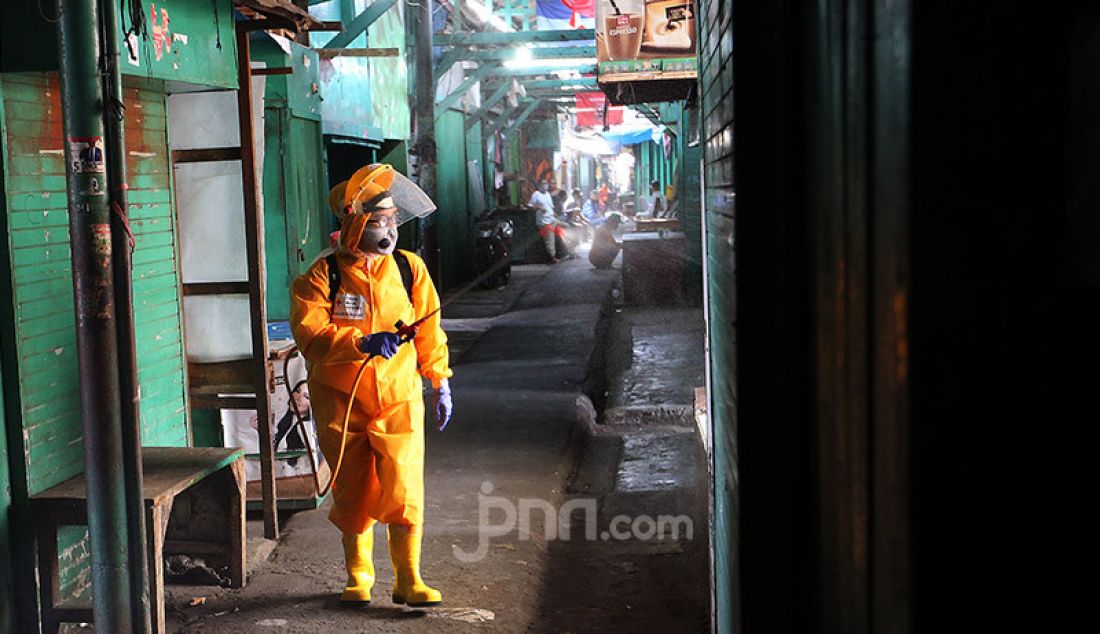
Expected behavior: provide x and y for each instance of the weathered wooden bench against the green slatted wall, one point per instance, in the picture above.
(194, 506)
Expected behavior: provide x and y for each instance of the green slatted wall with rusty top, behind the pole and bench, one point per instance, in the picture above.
(39, 326)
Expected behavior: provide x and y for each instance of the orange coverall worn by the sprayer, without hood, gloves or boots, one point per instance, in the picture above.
(382, 476)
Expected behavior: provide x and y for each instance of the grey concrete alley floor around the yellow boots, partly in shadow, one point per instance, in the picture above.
(525, 435)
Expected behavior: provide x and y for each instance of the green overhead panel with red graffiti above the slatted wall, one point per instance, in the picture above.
(188, 41)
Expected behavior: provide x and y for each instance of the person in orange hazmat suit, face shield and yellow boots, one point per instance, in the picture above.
(344, 312)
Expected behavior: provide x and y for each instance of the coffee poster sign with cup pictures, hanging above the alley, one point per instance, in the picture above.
(646, 40)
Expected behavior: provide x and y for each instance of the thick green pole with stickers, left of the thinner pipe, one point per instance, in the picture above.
(93, 285)
